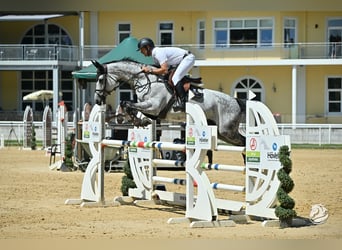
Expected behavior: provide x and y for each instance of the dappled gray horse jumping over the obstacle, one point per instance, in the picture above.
(155, 98)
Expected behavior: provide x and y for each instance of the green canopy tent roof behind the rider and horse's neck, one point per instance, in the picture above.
(126, 49)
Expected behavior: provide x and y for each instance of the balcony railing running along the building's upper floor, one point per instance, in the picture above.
(202, 52)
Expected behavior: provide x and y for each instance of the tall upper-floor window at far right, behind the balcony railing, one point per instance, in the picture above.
(334, 36)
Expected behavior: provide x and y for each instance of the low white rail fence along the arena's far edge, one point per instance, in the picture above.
(318, 134)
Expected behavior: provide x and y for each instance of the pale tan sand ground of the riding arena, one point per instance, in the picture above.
(33, 196)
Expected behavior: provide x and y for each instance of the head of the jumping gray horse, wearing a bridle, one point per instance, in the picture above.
(105, 83)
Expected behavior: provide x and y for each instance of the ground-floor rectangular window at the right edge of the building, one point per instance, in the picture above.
(334, 95)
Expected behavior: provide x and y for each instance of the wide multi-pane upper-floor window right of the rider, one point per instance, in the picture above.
(243, 33)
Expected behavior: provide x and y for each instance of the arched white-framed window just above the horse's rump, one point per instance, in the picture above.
(244, 85)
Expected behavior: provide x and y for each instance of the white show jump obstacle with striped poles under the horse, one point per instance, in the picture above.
(261, 165)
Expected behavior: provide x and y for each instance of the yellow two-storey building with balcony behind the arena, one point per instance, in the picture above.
(288, 52)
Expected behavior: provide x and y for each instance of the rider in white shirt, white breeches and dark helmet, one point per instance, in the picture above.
(166, 57)
